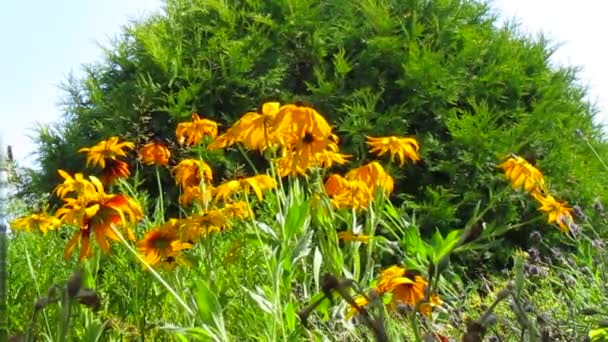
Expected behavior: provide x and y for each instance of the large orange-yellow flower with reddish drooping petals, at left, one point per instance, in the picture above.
(96, 212)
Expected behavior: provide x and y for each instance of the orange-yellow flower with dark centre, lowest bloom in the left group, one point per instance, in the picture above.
(162, 244)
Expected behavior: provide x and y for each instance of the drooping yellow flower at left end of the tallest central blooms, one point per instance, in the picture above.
(252, 130)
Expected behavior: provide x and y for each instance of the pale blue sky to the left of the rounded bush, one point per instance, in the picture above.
(42, 42)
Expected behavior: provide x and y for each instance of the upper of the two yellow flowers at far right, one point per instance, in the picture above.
(522, 174)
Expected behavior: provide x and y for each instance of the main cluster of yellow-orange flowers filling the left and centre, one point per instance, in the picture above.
(295, 137)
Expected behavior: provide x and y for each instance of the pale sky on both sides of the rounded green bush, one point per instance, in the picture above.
(43, 41)
